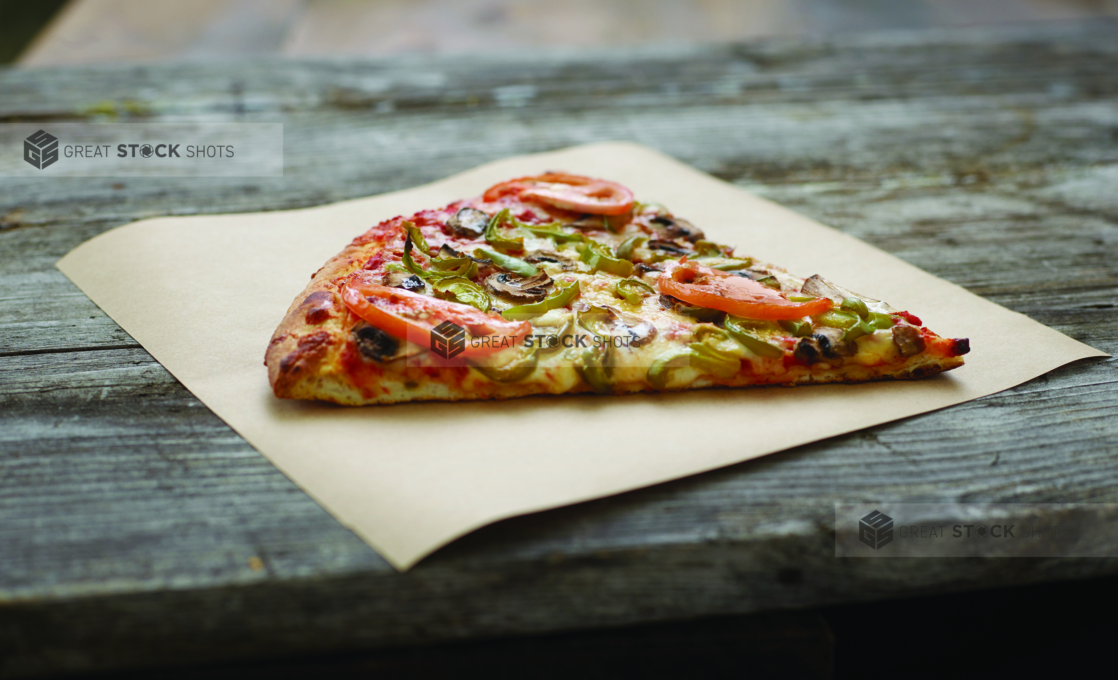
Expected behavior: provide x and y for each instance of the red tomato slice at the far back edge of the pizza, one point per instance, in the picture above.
(569, 192)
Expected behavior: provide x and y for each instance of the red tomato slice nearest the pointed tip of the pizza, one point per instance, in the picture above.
(714, 289)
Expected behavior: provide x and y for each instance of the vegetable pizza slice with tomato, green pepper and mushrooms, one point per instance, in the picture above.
(562, 284)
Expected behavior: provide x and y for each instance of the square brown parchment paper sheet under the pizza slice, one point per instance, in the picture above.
(204, 295)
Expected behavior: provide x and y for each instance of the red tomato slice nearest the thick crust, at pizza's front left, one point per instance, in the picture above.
(412, 317)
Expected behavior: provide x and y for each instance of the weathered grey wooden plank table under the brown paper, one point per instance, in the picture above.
(137, 528)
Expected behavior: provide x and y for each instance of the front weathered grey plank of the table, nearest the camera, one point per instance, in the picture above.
(155, 500)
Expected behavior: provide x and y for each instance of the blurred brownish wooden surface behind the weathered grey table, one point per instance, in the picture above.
(99, 32)
